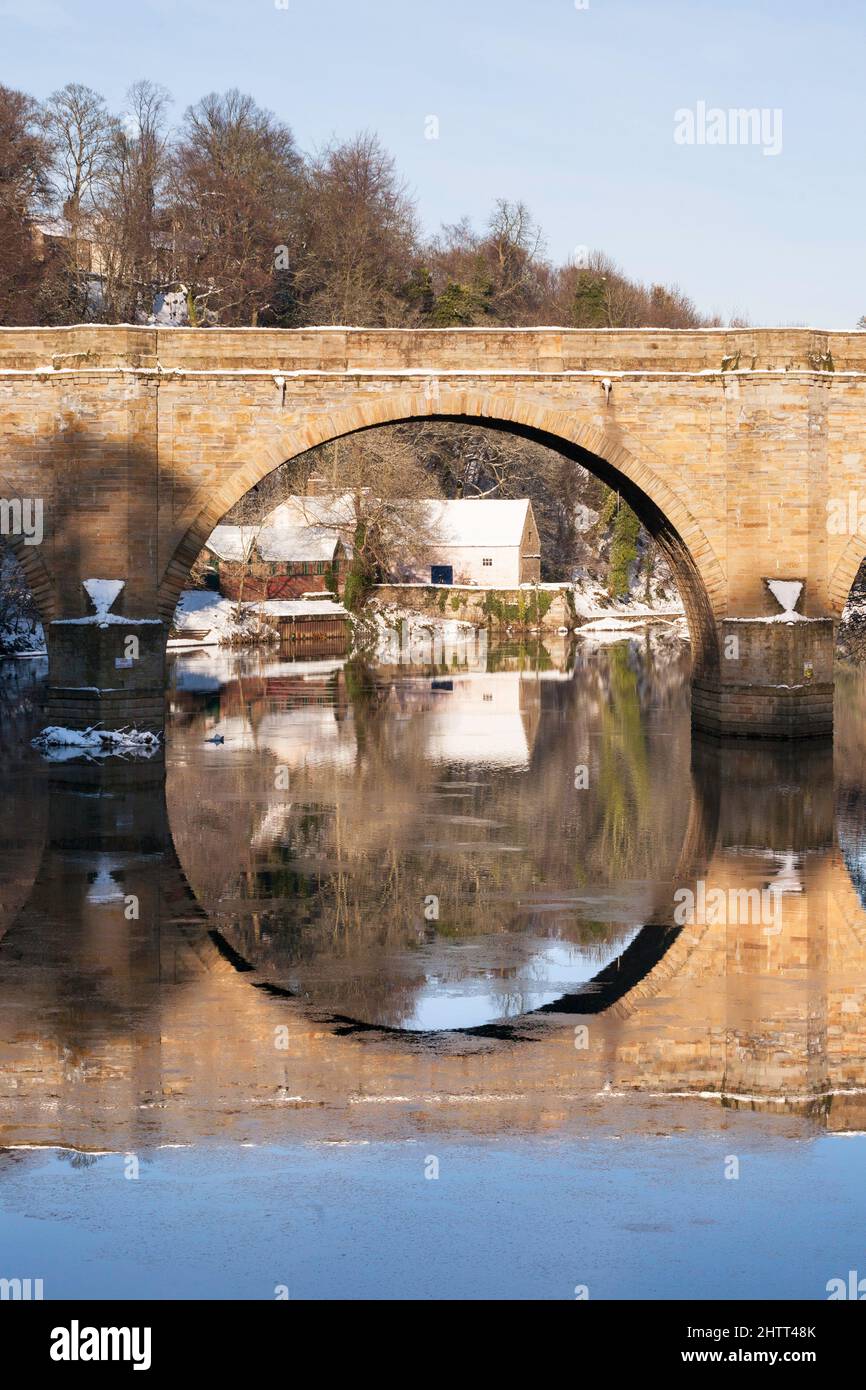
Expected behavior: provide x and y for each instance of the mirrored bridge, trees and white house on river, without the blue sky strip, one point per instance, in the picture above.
(389, 888)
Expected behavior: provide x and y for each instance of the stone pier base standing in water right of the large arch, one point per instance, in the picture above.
(775, 680)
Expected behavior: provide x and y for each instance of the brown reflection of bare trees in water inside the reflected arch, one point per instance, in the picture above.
(325, 886)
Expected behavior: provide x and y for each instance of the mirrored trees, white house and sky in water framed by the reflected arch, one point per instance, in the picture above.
(420, 849)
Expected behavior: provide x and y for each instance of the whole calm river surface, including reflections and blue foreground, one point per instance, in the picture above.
(420, 908)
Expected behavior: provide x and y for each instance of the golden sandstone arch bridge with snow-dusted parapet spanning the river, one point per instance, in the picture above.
(742, 451)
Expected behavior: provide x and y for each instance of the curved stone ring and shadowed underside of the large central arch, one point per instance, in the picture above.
(680, 537)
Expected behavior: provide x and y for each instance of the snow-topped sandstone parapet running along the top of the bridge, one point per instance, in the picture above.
(472, 351)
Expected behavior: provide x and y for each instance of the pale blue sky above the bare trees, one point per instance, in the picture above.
(573, 106)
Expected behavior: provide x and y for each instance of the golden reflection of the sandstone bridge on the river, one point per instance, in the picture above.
(123, 1029)
